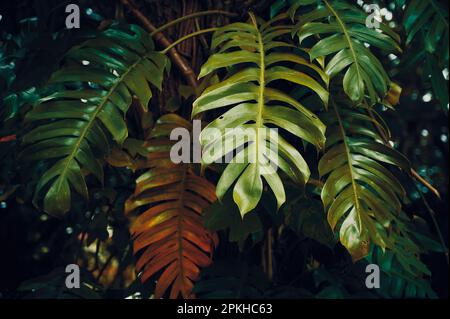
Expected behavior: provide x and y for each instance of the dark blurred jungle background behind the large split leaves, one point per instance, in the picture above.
(36, 247)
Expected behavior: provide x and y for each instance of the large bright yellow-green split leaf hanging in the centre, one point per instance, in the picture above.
(255, 58)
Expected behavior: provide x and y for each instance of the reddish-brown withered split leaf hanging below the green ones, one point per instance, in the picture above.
(170, 231)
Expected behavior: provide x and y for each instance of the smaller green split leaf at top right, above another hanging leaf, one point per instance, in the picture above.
(344, 37)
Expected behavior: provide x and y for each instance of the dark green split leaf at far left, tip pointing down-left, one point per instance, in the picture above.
(72, 128)
